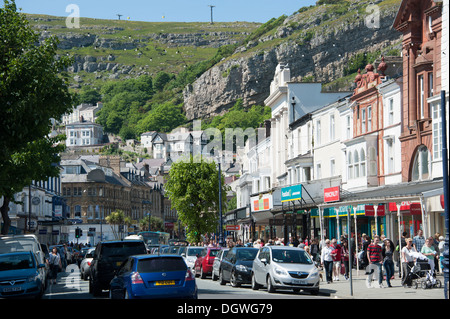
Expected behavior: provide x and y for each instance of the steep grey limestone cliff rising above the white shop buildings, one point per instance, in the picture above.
(319, 43)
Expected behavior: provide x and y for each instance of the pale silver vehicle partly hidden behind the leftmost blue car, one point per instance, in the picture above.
(25, 243)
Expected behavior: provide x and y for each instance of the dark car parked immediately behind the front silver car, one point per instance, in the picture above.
(236, 267)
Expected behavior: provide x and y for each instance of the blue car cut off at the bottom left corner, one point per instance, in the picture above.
(21, 275)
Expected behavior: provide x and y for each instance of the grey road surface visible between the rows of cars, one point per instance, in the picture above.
(70, 286)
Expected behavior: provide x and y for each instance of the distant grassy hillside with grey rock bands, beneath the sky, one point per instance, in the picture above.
(106, 50)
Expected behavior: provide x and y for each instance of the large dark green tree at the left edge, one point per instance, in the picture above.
(33, 89)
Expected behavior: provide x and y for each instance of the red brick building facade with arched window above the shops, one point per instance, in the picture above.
(420, 22)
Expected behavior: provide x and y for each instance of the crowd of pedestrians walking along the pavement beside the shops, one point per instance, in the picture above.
(378, 256)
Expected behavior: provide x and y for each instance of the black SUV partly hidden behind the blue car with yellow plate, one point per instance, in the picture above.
(108, 257)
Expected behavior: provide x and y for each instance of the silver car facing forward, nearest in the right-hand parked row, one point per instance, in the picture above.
(285, 267)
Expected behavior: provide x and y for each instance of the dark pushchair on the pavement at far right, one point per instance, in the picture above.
(422, 275)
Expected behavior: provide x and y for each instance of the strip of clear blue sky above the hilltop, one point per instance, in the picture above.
(169, 10)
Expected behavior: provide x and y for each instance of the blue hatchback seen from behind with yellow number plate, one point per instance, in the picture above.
(153, 276)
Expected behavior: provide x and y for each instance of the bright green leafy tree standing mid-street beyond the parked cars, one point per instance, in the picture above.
(193, 189)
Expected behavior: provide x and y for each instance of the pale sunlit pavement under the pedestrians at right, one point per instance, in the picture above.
(357, 289)
